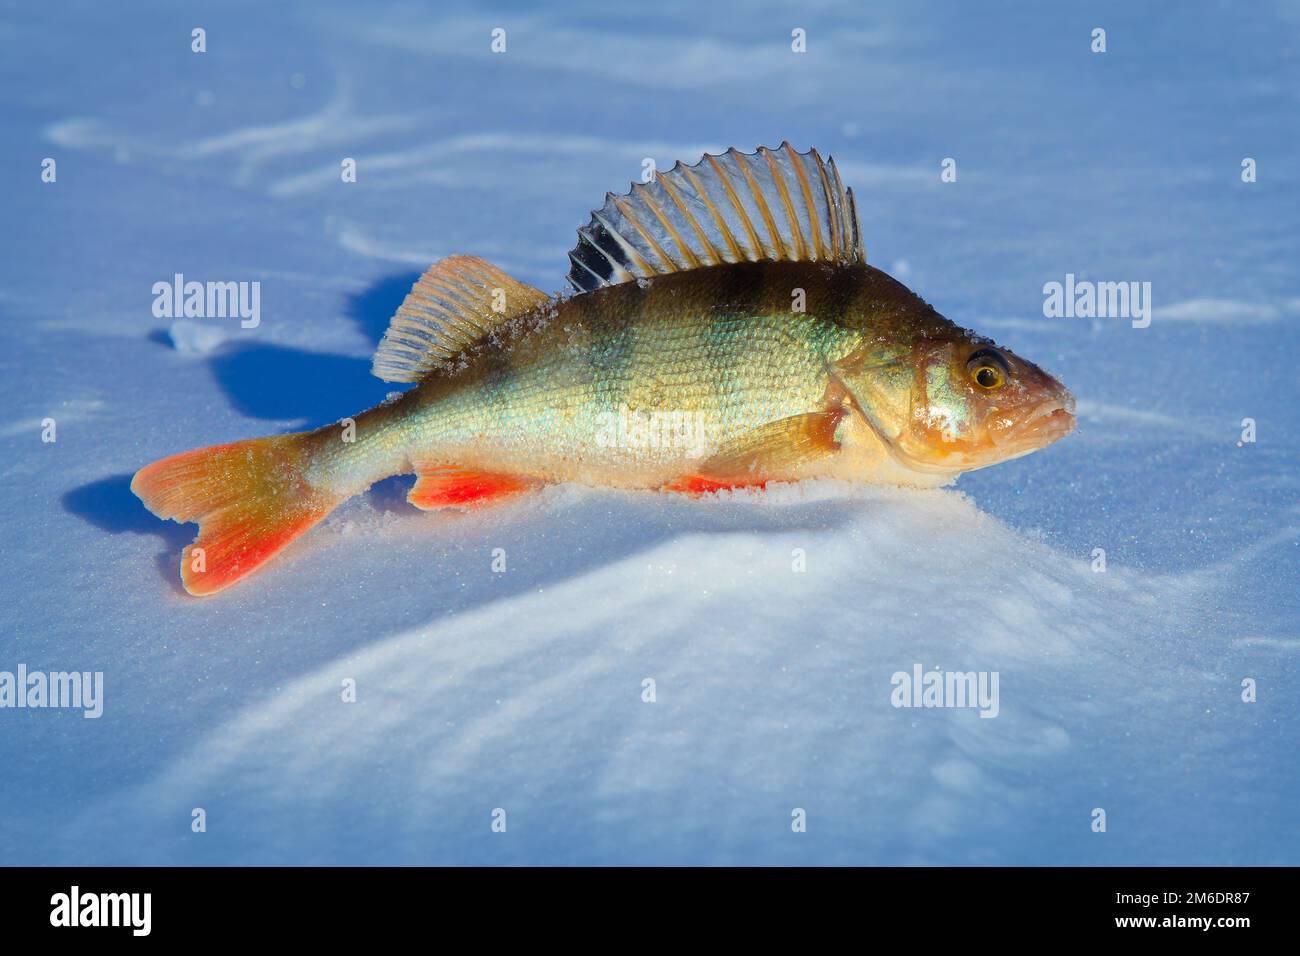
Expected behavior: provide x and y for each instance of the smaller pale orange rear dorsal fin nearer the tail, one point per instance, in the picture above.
(457, 302)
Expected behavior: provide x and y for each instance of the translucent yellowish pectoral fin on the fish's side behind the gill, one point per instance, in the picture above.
(769, 453)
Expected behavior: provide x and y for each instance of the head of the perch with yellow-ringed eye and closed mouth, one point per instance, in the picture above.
(960, 403)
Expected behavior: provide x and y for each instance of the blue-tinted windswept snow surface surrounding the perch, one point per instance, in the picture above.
(525, 690)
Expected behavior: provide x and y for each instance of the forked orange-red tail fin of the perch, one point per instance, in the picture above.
(250, 499)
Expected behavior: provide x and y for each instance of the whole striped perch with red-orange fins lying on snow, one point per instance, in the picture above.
(723, 331)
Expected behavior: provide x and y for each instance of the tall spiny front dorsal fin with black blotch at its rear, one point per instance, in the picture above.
(770, 205)
